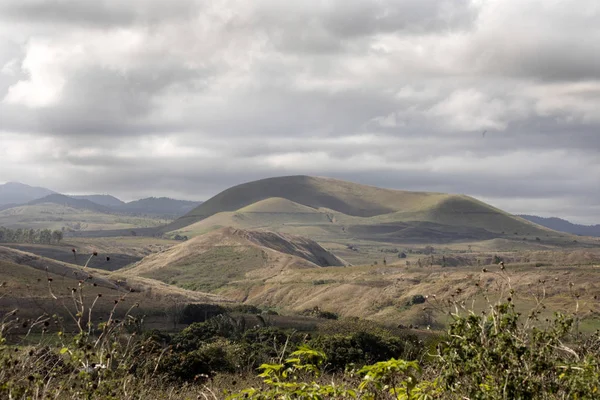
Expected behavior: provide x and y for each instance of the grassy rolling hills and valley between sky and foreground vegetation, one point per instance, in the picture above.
(294, 243)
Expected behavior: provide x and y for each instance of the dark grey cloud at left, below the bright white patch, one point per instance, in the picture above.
(99, 101)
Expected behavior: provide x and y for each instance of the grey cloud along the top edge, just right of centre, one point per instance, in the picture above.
(332, 26)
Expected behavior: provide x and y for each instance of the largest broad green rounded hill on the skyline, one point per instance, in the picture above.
(329, 209)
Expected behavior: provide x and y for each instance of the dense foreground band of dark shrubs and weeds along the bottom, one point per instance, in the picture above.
(495, 354)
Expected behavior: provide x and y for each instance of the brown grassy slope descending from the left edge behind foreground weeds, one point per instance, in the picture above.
(34, 284)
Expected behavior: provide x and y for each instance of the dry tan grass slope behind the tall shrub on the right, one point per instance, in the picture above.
(384, 293)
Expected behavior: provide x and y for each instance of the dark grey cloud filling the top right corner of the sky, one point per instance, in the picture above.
(553, 41)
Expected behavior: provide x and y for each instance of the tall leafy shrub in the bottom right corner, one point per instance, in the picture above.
(497, 356)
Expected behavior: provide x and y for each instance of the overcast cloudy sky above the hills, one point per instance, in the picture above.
(497, 99)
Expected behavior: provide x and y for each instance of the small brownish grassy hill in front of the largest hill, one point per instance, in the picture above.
(211, 261)
